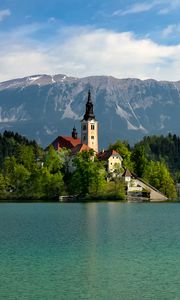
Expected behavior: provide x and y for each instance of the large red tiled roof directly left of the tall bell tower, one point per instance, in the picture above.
(65, 142)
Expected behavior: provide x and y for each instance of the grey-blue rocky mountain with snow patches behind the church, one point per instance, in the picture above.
(43, 106)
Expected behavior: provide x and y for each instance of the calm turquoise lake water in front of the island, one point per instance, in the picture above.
(89, 251)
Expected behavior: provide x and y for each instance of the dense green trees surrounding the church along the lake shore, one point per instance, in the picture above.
(27, 172)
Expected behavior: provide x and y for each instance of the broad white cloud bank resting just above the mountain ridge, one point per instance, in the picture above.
(83, 52)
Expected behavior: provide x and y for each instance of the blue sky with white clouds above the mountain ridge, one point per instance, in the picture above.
(120, 38)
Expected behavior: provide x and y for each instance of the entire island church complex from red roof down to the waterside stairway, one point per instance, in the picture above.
(111, 158)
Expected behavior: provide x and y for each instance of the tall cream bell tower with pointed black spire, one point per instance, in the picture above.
(89, 126)
